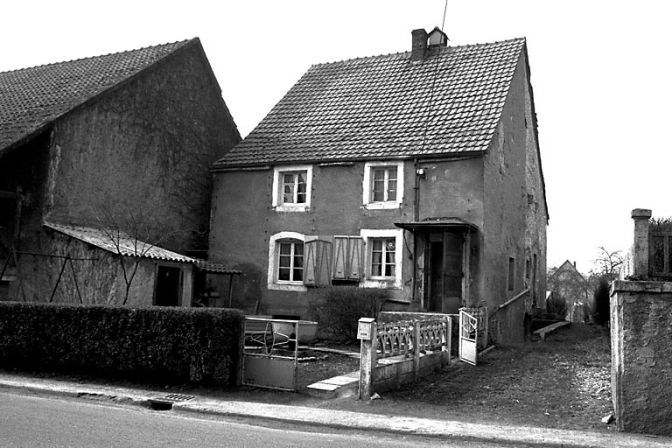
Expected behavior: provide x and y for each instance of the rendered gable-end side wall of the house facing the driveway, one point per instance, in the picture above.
(506, 211)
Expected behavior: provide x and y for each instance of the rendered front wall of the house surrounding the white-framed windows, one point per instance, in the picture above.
(243, 221)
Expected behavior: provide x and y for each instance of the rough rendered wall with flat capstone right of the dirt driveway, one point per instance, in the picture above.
(641, 356)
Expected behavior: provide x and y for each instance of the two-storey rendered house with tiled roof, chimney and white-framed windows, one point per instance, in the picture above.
(416, 172)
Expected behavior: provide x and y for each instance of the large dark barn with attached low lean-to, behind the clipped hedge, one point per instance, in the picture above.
(114, 144)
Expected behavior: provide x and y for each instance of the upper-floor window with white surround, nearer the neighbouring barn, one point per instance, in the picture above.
(292, 188)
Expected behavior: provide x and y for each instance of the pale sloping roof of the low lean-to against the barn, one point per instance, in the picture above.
(119, 243)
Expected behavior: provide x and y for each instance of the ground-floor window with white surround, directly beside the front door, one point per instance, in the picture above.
(383, 257)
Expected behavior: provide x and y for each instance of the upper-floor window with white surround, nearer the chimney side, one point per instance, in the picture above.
(383, 185)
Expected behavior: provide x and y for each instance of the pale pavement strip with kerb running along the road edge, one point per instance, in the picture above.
(349, 420)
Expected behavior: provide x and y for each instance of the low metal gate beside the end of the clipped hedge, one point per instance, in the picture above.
(270, 353)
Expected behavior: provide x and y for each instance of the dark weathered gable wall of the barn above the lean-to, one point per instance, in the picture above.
(145, 150)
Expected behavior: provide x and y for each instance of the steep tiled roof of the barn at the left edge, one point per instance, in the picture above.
(33, 97)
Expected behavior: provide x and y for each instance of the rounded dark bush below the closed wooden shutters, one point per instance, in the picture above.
(337, 309)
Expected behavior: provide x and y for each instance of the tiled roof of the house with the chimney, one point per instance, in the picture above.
(387, 107)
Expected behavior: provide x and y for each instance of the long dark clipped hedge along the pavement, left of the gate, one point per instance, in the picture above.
(164, 345)
